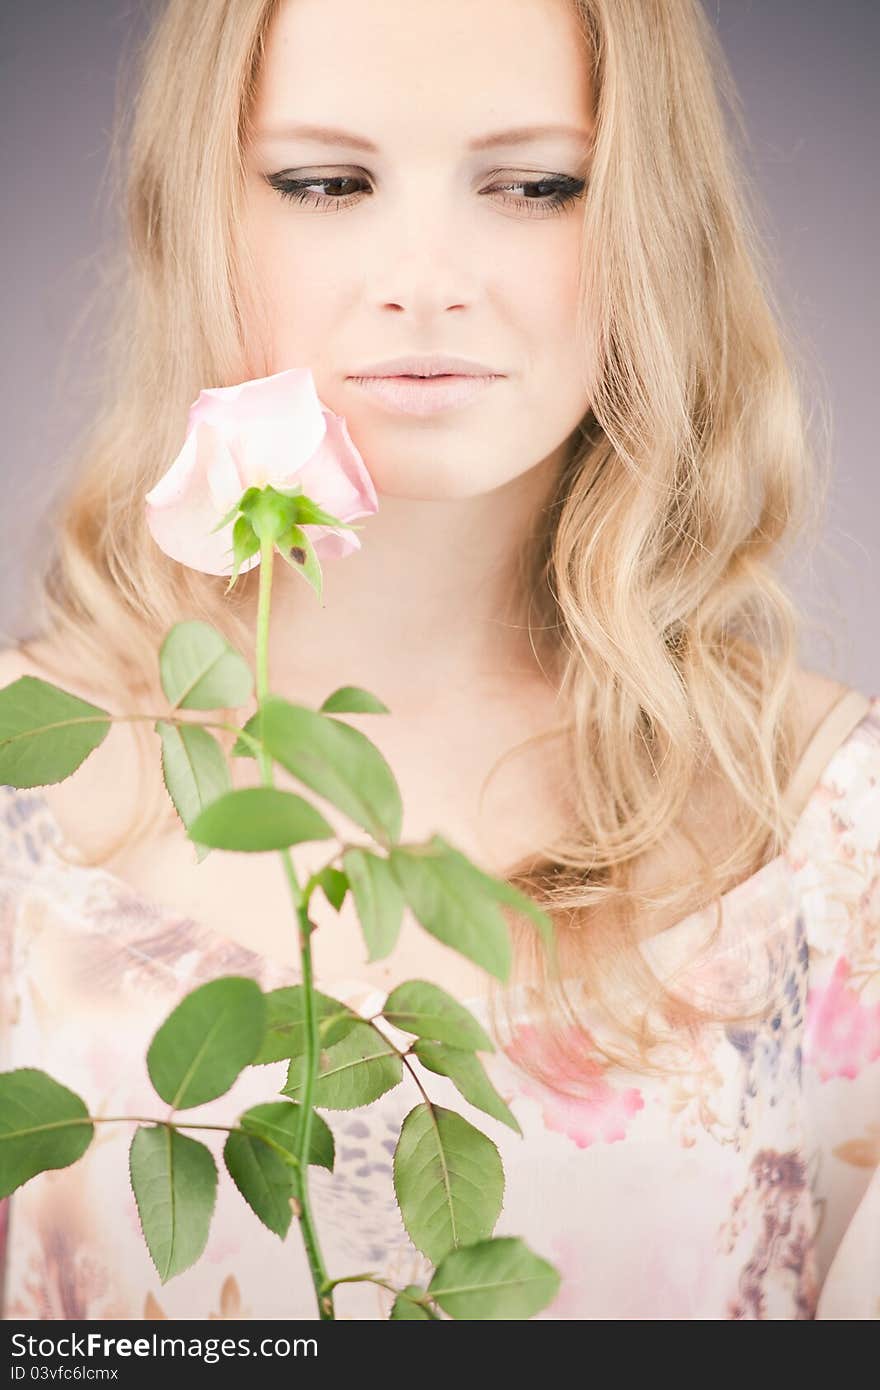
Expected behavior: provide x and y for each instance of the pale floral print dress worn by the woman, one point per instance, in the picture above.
(744, 1186)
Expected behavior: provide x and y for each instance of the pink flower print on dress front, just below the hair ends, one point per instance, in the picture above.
(601, 1114)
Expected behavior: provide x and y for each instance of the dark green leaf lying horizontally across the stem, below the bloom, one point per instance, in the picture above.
(254, 819)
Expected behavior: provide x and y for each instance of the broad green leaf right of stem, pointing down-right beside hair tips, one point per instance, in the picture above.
(451, 907)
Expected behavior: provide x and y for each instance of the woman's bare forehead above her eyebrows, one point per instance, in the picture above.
(466, 69)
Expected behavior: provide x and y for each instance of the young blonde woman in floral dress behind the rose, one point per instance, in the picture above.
(569, 600)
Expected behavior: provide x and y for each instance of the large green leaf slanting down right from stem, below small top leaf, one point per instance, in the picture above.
(336, 761)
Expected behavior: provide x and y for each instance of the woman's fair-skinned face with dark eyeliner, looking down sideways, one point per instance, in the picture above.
(429, 243)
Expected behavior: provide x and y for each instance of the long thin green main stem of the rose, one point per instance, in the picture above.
(311, 1239)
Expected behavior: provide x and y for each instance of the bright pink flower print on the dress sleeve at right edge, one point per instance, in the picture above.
(842, 1033)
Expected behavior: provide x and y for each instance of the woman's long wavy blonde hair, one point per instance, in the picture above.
(651, 584)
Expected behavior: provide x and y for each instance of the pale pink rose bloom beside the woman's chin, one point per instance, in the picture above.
(276, 432)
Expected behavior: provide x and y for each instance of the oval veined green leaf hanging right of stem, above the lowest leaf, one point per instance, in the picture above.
(448, 1179)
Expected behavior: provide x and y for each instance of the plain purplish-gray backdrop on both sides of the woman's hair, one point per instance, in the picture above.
(807, 77)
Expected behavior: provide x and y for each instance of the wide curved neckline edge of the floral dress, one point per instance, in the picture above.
(854, 707)
